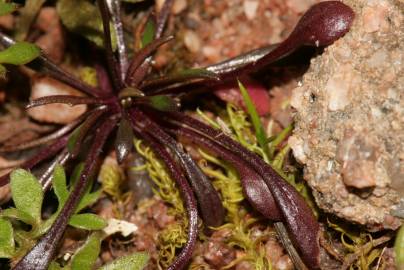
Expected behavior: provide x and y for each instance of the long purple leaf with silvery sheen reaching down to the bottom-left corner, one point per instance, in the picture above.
(40, 256)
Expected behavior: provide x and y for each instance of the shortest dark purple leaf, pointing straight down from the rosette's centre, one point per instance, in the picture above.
(124, 140)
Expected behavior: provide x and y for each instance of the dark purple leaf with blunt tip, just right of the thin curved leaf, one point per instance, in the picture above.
(212, 210)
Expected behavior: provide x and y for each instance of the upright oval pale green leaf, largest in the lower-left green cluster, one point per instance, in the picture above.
(27, 193)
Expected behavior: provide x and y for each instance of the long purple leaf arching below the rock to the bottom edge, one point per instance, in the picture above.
(297, 215)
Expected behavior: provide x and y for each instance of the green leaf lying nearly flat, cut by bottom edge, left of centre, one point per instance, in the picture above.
(136, 261)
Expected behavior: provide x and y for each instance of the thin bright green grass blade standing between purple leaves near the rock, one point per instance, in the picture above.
(255, 119)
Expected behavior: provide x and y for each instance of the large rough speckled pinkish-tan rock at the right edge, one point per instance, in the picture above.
(350, 119)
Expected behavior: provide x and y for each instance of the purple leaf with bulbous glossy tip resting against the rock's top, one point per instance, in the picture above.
(321, 25)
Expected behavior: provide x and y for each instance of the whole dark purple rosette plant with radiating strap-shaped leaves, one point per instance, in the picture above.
(130, 102)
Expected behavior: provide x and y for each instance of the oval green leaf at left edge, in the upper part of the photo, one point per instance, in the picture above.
(20, 53)
